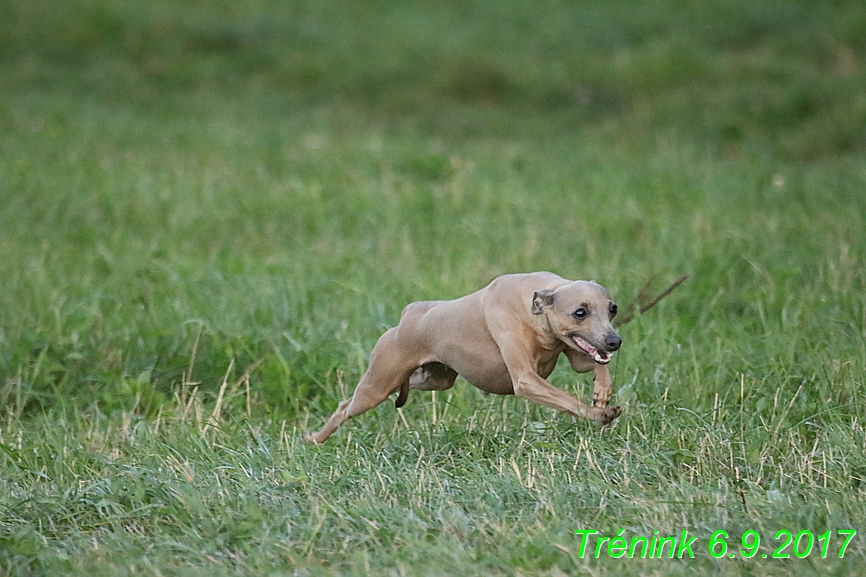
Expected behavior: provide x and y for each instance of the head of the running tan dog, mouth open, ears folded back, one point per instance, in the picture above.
(579, 314)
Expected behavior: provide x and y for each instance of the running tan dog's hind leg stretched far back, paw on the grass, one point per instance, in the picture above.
(389, 369)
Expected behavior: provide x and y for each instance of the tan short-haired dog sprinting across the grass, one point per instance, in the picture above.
(504, 339)
